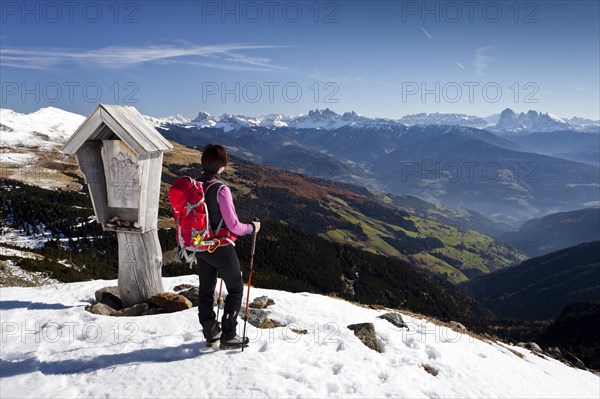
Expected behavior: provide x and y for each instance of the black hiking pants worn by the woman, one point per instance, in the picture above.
(225, 263)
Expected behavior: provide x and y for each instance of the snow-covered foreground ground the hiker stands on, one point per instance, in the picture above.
(52, 347)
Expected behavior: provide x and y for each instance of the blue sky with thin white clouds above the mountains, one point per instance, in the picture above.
(384, 59)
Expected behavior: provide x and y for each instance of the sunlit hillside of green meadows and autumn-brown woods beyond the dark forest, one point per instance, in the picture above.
(401, 227)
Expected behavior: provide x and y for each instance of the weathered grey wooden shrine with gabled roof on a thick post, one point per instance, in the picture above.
(120, 155)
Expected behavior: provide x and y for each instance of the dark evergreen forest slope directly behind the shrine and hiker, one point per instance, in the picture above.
(287, 258)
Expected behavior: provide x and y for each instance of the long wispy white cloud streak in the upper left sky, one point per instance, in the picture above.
(227, 56)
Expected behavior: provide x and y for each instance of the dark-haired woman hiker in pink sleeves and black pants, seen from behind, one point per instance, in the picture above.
(223, 260)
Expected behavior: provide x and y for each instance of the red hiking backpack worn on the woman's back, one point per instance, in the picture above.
(192, 223)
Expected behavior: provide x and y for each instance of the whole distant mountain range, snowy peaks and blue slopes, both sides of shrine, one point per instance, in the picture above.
(509, 178)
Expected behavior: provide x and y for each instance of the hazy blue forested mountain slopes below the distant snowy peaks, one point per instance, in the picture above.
(451, 165)
